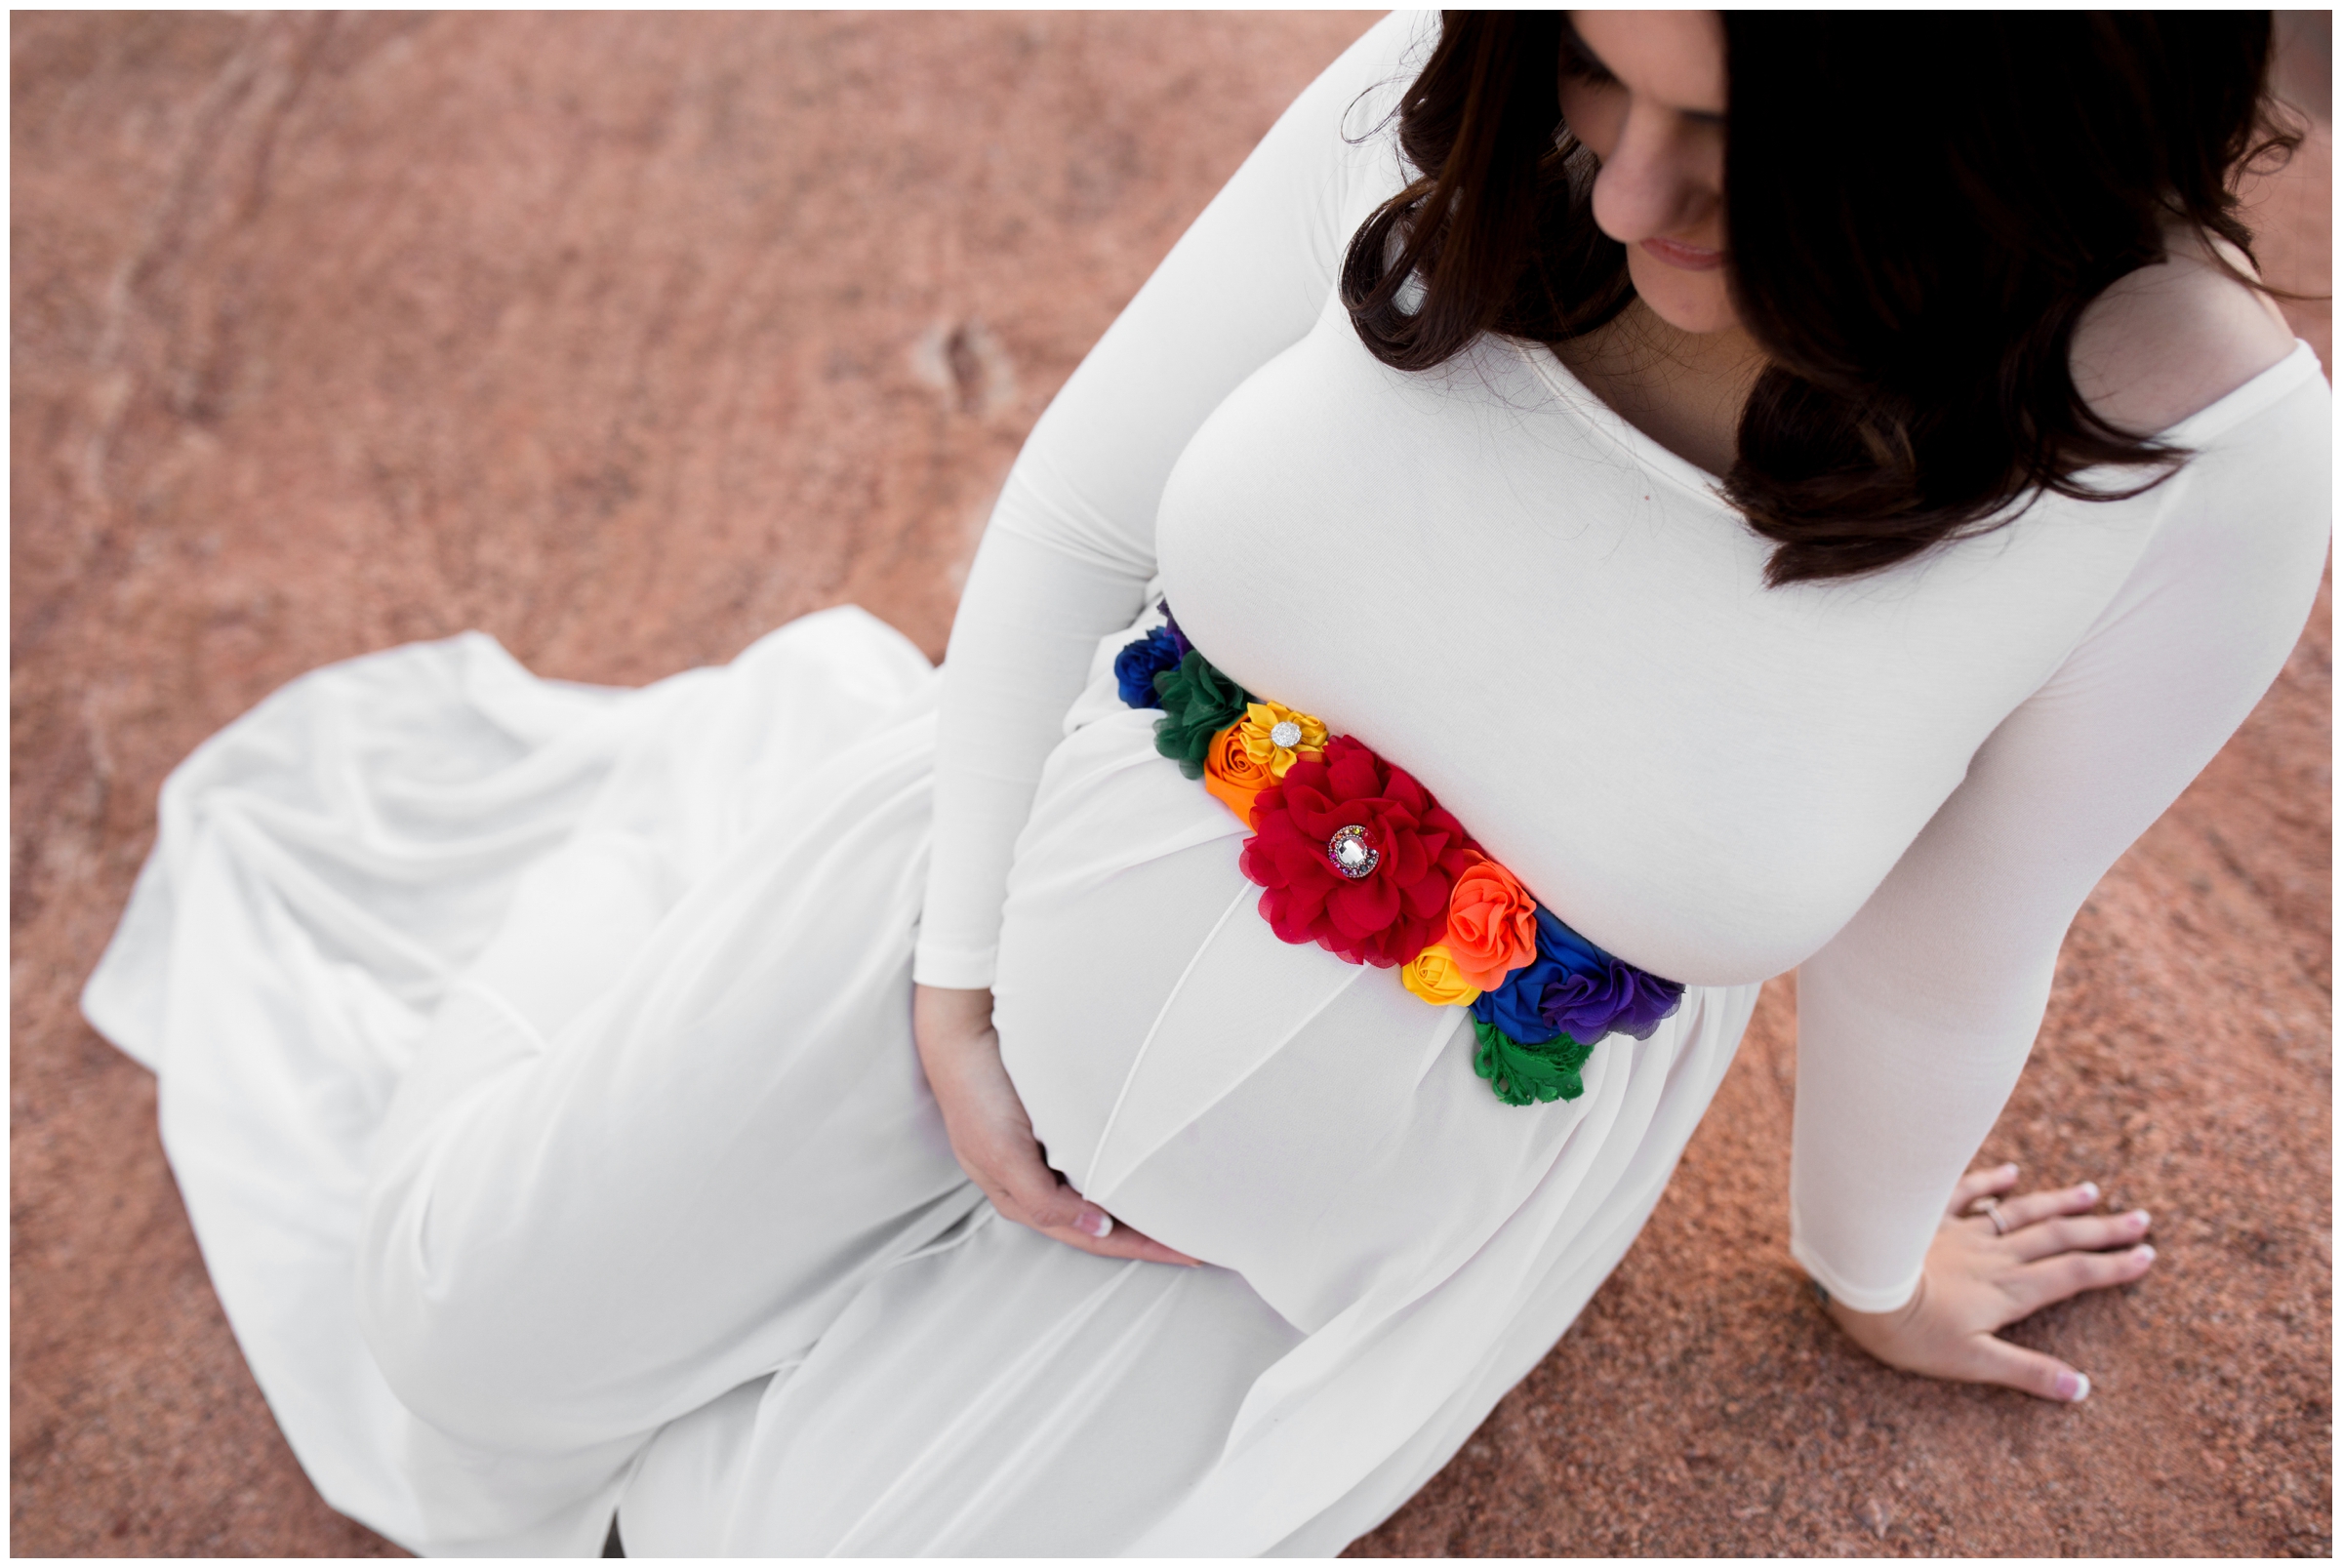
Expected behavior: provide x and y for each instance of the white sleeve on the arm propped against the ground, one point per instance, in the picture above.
(1919, 1015)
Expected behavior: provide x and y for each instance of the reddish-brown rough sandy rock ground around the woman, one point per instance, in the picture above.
(629, 338)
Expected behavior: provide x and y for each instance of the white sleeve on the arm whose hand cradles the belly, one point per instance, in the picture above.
(1071, 546)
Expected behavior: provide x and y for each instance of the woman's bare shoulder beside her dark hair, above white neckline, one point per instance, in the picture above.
(2175, 338)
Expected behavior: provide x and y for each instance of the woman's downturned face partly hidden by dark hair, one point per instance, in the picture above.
(1645, 90)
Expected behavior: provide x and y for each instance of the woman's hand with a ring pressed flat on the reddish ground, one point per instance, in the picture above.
(1985, 1277)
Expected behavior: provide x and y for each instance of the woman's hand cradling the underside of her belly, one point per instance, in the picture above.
(994, 1139)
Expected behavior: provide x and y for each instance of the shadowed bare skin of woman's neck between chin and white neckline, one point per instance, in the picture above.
(1683, 390)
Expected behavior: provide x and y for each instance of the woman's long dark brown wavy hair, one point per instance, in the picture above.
(1919, 207)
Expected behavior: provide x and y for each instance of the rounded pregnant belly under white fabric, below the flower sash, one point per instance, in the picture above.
(1261, 1106)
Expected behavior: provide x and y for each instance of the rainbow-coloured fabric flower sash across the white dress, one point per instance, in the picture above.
(1357, 858)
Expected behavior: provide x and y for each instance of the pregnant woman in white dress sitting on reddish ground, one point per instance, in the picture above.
(1643, 504)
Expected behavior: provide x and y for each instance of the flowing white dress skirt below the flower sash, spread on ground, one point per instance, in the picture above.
(537, 1071)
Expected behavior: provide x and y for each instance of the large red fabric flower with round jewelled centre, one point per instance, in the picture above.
(1397, 909)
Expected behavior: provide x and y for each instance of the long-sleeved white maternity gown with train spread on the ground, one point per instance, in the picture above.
(537, 1066)
